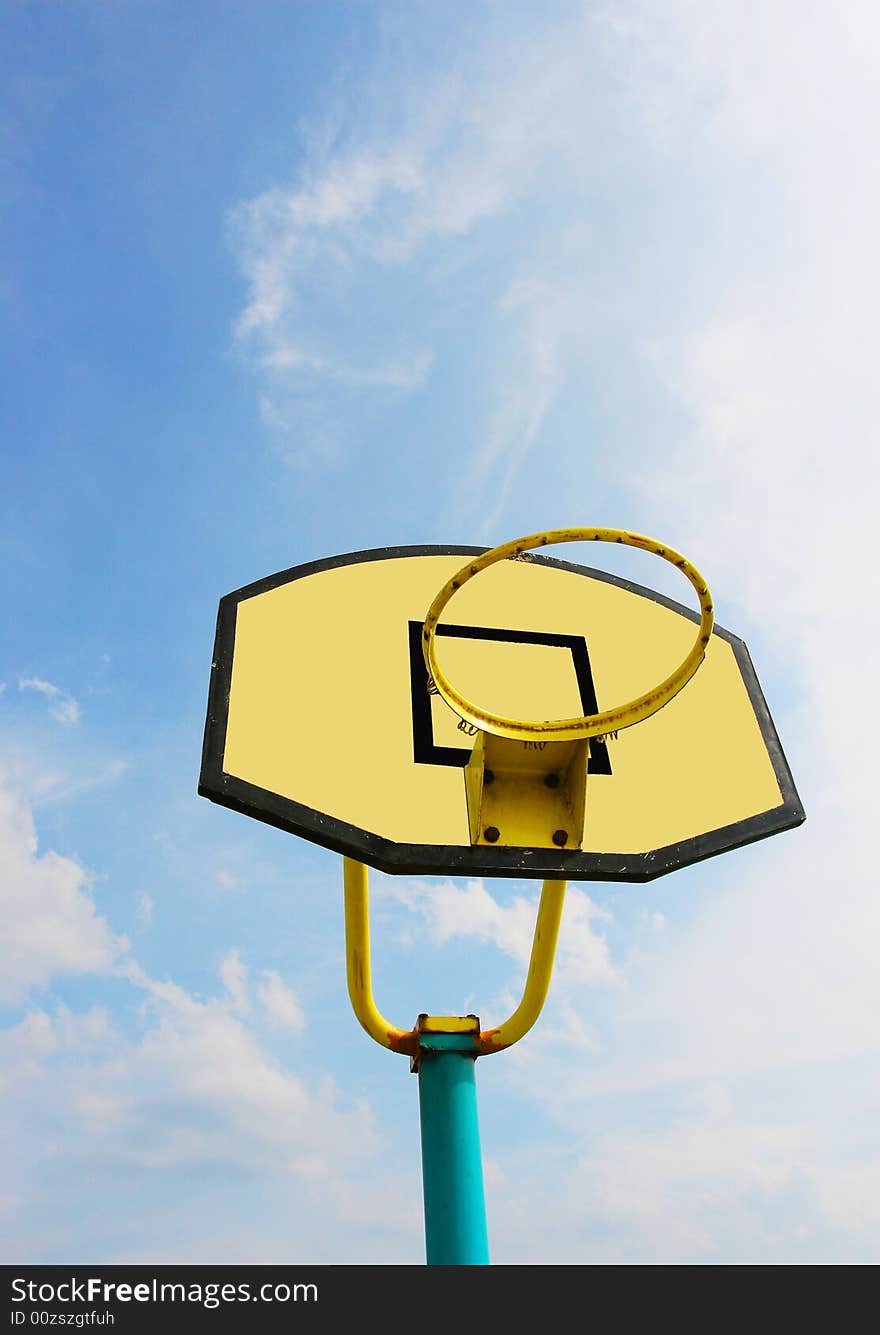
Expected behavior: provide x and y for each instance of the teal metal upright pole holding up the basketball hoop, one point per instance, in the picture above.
(452, 1163)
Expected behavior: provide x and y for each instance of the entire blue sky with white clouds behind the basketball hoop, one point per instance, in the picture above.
(285, 281)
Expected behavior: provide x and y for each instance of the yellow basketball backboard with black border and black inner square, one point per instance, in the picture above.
(322, 720)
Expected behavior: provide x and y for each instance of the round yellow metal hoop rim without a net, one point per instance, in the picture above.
(591, 726)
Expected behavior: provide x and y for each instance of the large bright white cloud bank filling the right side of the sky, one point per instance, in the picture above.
(768, 480)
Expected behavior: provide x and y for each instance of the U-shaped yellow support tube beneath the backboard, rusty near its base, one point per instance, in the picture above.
(408, 1041)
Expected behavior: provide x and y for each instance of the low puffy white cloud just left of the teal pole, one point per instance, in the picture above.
(194, 1089)
